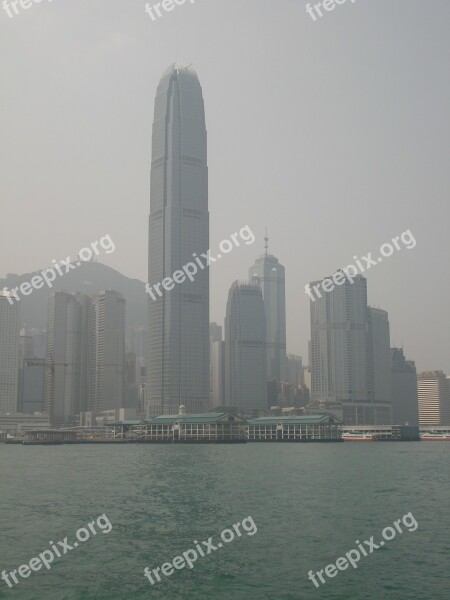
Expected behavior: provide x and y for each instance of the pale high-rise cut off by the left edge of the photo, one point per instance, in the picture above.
(9, 352)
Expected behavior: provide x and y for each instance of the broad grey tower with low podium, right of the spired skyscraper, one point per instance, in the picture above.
(341, 352)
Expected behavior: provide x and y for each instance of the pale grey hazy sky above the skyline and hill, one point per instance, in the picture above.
(334, 133)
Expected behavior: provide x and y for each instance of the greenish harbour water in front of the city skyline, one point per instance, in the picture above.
(310, 502)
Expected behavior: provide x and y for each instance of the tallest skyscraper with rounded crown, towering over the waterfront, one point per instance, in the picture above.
(178, 320)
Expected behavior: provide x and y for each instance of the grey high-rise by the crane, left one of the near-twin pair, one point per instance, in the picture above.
(62, 380)
